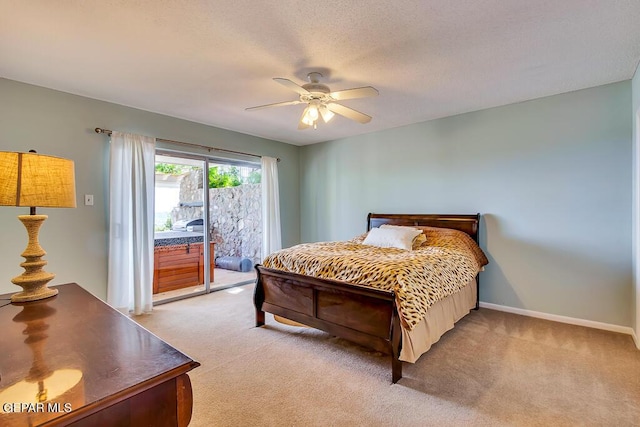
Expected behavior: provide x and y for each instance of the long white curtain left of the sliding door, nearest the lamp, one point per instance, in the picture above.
(131, 193)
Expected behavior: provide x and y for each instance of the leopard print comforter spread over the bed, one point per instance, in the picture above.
(445, 263)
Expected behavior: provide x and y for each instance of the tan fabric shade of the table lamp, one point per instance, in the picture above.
(31, 179)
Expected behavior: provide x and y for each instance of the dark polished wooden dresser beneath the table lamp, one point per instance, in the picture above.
(73, 360)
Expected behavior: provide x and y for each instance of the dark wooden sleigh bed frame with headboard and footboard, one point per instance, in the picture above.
(357, 313)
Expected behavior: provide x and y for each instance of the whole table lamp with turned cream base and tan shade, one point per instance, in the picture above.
(35, 180)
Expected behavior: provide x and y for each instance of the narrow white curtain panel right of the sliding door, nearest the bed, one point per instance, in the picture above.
(271, 239)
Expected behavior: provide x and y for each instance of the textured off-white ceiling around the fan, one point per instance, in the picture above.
(206, 61)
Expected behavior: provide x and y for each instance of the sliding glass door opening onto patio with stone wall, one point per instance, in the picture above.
(208, 226)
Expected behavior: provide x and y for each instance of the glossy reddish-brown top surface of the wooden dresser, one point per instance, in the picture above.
(74, 349)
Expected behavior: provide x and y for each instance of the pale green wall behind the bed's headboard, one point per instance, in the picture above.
(552, 178)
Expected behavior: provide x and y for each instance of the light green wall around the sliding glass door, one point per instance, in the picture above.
(61, 124)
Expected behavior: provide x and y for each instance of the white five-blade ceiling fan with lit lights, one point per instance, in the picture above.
(321, 102)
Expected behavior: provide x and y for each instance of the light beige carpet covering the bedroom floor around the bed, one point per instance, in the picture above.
(493, 369)
